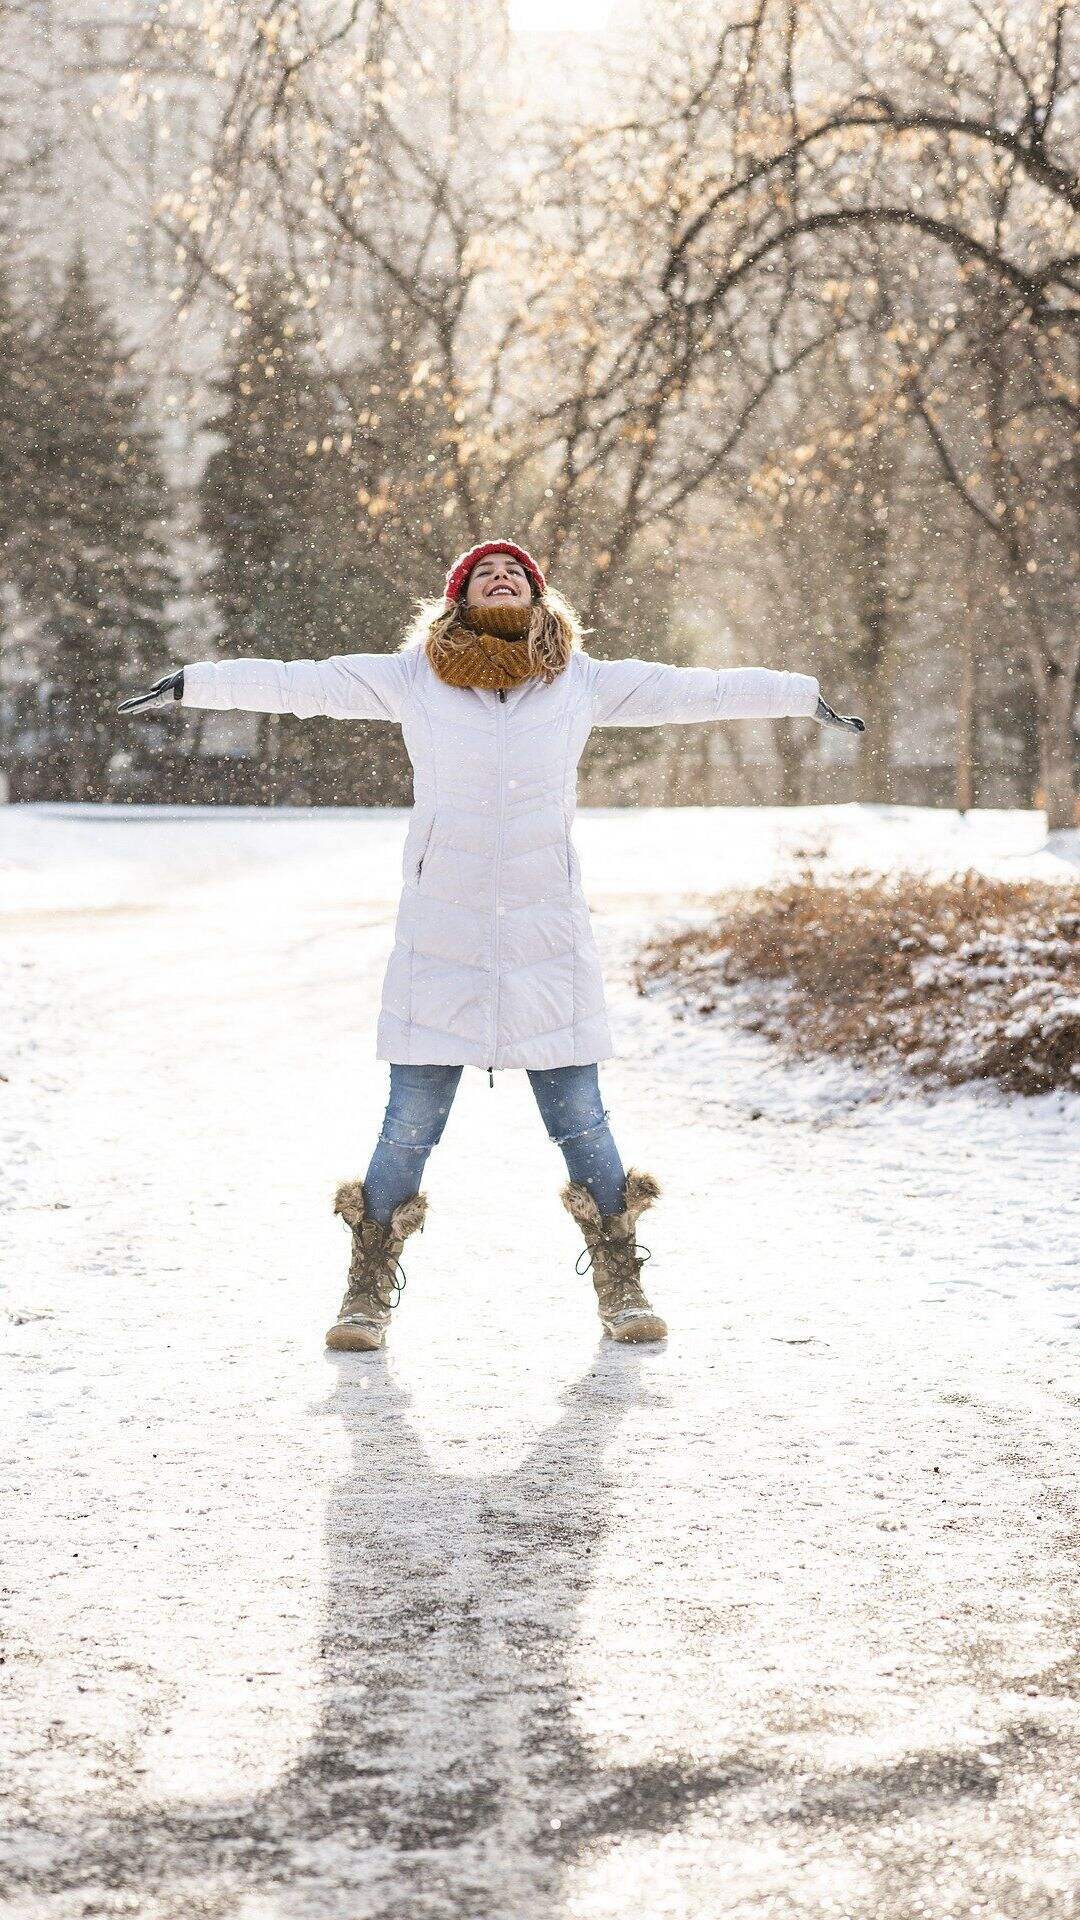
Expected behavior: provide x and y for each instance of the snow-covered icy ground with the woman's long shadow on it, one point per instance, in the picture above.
(775, 1621)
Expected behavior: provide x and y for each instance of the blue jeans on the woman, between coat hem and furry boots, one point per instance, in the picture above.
(418, 1111)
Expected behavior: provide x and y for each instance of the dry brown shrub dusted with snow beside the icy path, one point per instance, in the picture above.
(956, 980)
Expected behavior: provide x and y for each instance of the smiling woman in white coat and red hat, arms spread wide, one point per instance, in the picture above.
(493, 963)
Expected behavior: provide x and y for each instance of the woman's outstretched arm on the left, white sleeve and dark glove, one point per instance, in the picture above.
(349, 686)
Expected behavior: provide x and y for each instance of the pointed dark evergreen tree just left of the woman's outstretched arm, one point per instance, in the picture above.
(95, 560)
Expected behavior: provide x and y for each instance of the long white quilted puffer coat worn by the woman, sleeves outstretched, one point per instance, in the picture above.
(495, 963)
